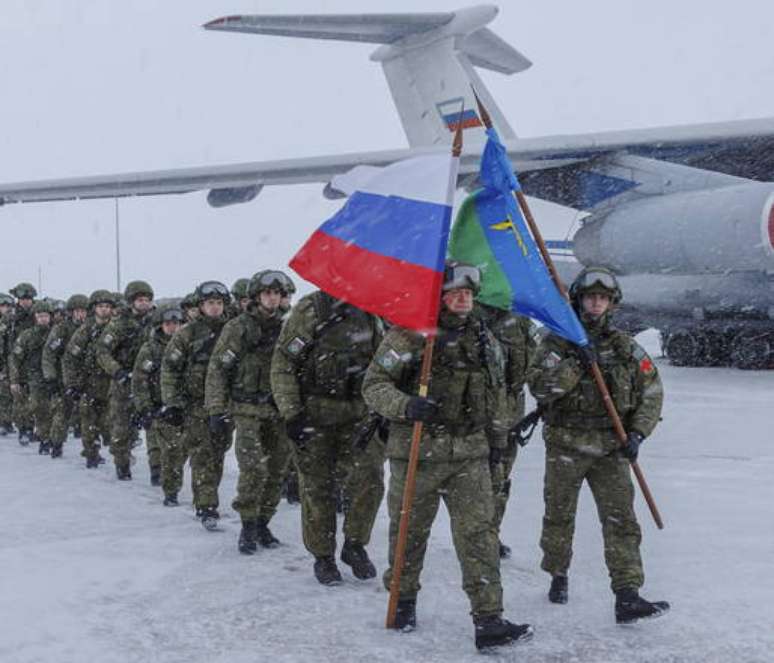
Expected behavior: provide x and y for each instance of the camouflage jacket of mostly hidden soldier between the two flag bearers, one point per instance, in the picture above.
(516, 336)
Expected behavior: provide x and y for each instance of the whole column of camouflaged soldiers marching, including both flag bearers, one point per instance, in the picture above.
(323, 391)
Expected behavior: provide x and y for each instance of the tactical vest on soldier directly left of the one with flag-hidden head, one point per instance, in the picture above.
(252, 383)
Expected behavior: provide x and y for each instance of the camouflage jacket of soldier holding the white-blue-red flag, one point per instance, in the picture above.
(467, 380)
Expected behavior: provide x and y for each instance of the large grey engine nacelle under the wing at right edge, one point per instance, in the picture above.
(695, 232)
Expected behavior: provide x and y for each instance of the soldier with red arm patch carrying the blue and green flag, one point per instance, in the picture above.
(581, 443)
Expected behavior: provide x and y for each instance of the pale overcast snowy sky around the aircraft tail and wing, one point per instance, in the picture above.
(91, 87)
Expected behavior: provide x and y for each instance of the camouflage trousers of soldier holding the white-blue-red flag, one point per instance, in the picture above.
(466, 489)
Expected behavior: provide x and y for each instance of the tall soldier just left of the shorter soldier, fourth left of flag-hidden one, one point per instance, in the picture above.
(116, 351)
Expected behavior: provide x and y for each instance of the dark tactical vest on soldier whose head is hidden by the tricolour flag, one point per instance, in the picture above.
(341, 349)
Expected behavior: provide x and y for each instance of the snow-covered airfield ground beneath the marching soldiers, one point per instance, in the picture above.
(96, 570)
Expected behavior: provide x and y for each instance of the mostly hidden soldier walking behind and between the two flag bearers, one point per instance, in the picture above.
(515, 335)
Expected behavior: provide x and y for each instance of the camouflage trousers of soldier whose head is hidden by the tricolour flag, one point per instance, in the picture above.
(328, 459)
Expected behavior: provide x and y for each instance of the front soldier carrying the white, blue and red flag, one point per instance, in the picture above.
(461, 436)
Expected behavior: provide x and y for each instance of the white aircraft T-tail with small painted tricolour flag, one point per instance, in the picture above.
(429, 60)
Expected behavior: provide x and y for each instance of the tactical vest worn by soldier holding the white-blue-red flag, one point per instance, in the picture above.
(467, 378)
